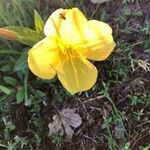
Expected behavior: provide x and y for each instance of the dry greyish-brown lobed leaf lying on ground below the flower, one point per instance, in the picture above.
(63, 123)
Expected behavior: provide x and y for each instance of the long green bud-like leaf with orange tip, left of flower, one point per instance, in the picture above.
(23, 35)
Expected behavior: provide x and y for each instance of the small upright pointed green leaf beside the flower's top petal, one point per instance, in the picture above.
(39, 24)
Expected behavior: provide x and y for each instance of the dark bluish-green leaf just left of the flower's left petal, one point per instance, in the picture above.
(21, 63)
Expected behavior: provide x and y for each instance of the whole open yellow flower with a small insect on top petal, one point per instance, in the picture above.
(70, 41)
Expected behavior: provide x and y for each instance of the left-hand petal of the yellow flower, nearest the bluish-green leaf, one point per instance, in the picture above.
(43, 58)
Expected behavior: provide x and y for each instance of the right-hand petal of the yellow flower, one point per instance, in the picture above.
(98, 41)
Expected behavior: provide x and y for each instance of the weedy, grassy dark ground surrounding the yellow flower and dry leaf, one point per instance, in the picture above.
(121, 116)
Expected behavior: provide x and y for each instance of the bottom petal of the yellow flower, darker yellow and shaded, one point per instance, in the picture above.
(77, 74)
